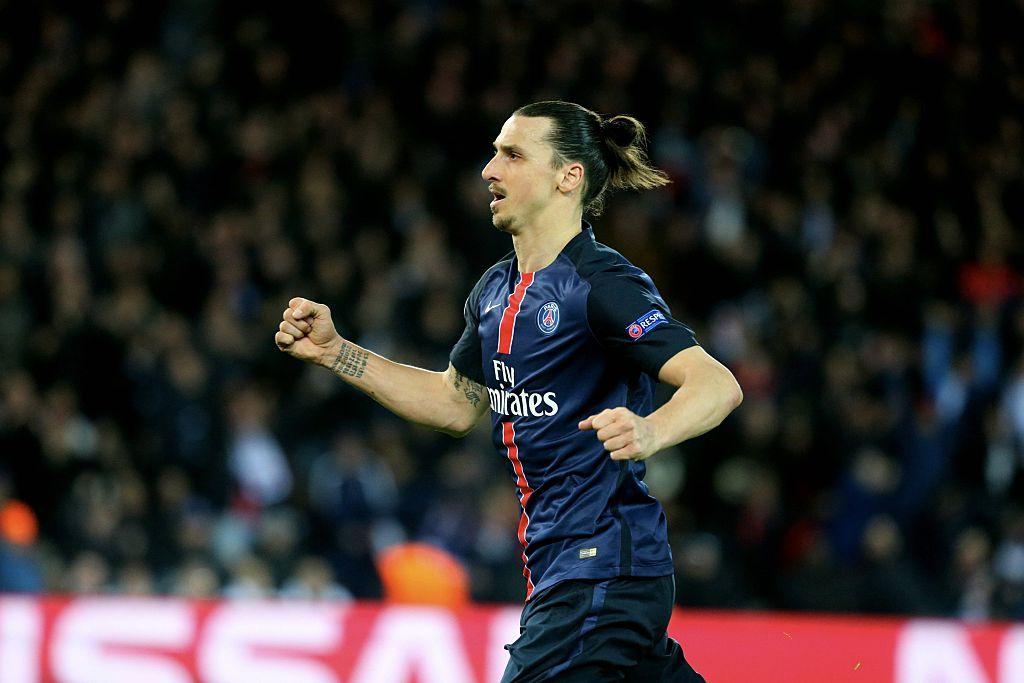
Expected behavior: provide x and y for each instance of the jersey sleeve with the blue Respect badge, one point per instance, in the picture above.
(630, 319)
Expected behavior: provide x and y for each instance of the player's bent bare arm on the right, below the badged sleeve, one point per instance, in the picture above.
(707, 394)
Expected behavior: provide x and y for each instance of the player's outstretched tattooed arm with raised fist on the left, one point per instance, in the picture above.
(447, 402)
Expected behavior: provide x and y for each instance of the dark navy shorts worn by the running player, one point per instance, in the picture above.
(595, 631)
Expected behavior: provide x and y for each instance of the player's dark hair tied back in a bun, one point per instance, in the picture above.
(612, 150)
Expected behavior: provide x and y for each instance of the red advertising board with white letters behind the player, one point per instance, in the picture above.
(130, 641)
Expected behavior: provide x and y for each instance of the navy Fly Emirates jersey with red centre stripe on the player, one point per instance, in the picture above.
(553, 348)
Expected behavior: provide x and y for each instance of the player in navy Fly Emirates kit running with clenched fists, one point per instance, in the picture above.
(564, 337)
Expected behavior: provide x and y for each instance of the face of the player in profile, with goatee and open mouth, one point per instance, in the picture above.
(521, 176)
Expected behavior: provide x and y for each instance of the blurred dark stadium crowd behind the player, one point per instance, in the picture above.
(844, 231)
